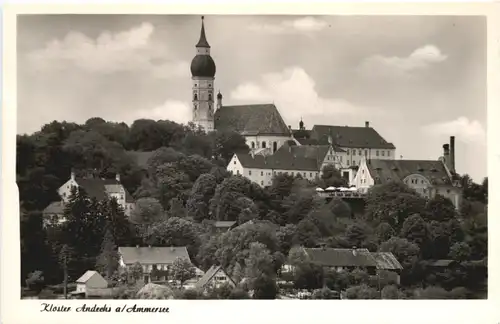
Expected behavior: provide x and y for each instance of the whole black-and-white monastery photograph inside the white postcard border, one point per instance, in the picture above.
(212, 156)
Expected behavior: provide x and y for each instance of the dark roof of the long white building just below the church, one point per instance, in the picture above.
(289, 157)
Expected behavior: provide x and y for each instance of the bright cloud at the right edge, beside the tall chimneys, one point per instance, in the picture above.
(469, 131)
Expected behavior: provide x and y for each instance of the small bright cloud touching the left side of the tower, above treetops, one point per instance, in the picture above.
(174, 110)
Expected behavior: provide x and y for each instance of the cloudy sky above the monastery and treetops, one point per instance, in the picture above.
(417, 79)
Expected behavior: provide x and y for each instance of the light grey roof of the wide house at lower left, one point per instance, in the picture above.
(152, 255)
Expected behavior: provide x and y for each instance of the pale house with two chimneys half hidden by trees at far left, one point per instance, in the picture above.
(95, 188)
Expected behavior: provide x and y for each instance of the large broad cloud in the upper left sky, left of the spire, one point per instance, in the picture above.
(127, 51)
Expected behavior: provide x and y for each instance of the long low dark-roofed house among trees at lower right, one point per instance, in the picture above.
(348, 259)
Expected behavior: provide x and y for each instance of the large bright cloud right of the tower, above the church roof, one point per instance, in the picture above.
(294, 91)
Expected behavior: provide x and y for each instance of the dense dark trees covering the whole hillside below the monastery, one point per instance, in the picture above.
(185, 187)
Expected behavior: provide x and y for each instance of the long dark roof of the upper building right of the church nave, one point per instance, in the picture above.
(346, 136)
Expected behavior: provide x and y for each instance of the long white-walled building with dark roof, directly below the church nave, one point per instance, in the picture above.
(292, 159)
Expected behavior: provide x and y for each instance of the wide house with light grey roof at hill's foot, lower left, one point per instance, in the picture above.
(159, 259)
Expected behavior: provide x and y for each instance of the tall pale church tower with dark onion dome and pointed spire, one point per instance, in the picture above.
(203, 76)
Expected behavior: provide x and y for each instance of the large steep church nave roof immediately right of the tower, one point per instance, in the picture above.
(263, 119)
